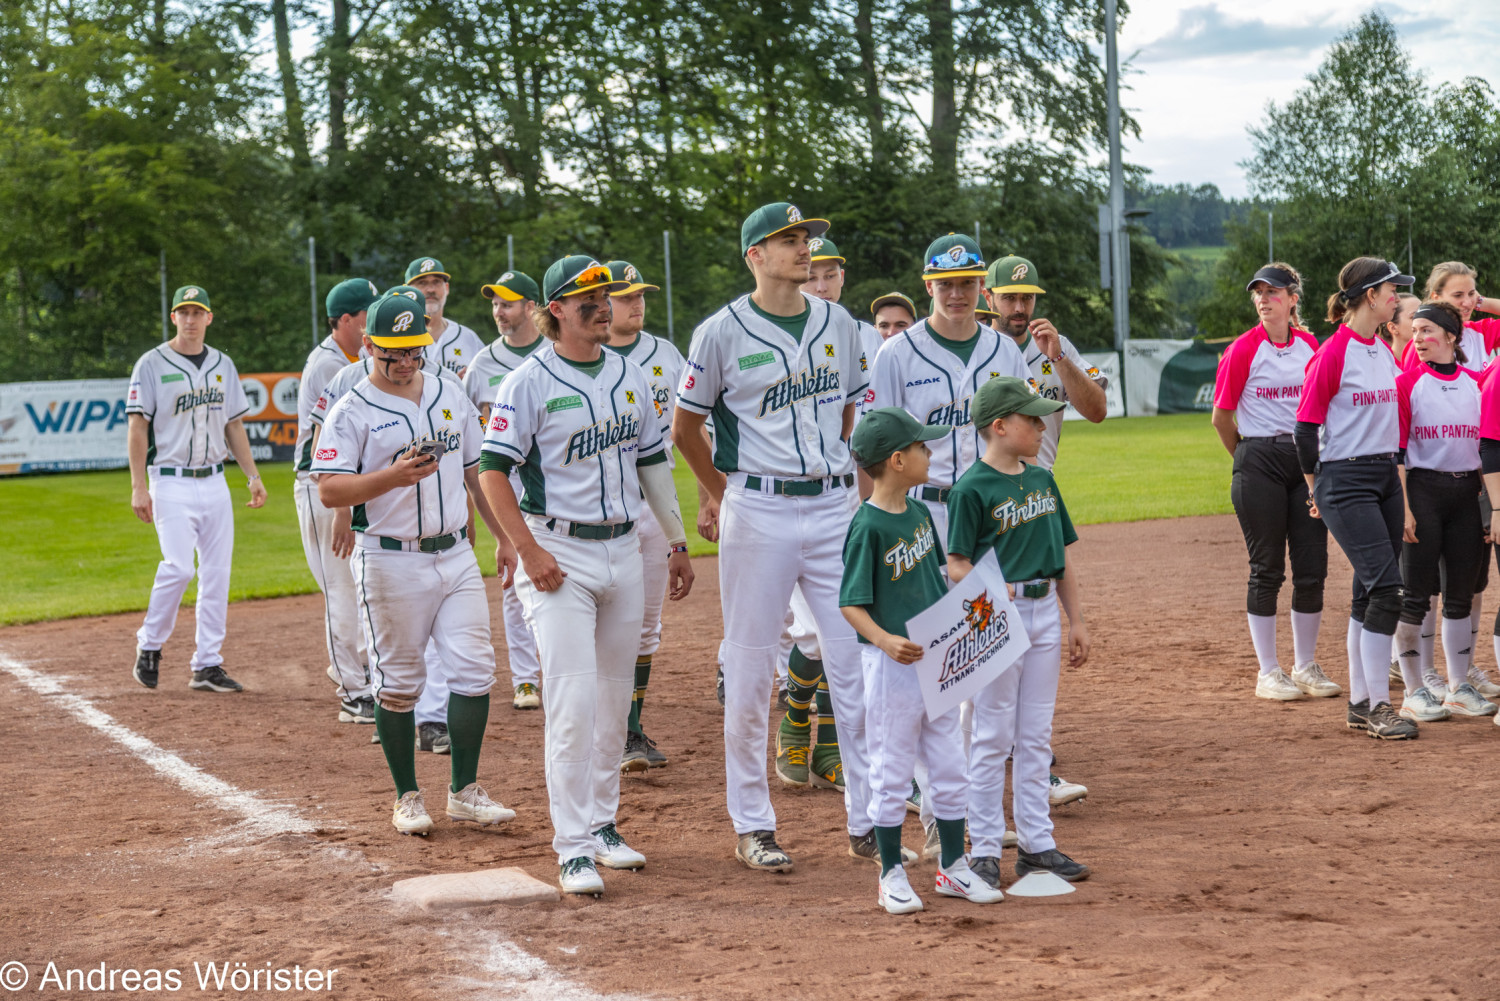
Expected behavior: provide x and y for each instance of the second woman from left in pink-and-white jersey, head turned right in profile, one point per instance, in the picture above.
(1348, 436)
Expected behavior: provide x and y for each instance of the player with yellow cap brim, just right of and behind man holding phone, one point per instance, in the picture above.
(512, 299)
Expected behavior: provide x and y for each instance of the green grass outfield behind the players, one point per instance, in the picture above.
(74, 547)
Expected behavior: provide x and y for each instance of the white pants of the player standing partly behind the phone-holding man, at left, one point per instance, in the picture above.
(341, 618)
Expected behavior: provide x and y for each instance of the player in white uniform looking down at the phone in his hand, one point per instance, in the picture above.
(401, 448)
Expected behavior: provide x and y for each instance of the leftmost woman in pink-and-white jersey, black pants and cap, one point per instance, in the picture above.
(1255, 412)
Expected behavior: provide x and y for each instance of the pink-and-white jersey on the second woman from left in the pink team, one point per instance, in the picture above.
(1351, 389)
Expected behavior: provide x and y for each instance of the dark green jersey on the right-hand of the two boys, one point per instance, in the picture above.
(1022, 517)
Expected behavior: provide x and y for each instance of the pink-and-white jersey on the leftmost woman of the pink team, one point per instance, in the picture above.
(1262, 382)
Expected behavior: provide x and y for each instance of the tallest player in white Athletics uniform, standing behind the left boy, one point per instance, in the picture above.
(781, 371)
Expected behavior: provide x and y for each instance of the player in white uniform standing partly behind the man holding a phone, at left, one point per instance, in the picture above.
(326, 550)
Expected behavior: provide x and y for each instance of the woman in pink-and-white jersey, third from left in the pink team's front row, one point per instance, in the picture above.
(1439, 463)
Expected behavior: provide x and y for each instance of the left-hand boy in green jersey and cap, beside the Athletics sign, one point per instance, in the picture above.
(893, 570)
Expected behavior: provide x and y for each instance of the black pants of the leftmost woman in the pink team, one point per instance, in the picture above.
(1271, 502)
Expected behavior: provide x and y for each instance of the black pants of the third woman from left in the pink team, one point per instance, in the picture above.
(1451, 534)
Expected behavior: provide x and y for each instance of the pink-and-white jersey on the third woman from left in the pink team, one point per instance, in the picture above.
(1439, 419)
